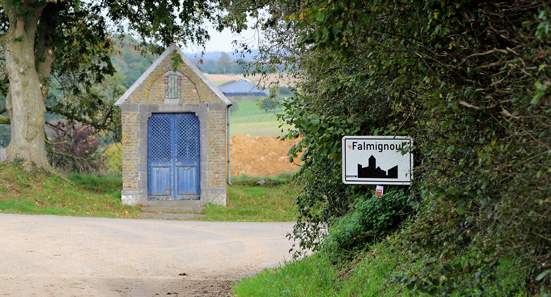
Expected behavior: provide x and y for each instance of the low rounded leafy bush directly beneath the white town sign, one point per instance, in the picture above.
(369, 219)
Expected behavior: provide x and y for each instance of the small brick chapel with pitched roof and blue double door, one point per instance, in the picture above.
(174, 136)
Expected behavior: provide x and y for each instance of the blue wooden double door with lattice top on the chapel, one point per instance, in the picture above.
(173, 156)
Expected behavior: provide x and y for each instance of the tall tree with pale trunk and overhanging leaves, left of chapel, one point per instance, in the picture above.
(71, 37)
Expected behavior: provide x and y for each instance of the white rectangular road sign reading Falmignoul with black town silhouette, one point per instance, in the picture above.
(377, 160)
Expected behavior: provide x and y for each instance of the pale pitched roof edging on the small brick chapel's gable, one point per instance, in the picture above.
(188, 63)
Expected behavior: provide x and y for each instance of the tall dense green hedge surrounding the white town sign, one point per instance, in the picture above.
(469, 82)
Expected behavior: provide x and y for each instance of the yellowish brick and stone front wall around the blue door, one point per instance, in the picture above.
(148, 97)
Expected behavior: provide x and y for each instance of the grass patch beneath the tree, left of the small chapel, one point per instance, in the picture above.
(39, 192)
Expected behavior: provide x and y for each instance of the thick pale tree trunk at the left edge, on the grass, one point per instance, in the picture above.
(25, 100)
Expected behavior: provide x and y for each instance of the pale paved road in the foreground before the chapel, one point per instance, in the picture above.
(73, 256)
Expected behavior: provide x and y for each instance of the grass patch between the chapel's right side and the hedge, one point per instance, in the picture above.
(248, 202)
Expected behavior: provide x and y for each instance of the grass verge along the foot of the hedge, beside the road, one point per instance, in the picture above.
(388, 268)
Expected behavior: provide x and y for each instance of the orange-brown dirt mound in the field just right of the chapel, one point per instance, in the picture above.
(261, 156)
